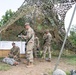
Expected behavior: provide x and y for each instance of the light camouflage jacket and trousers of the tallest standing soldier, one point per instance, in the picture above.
(30, 44)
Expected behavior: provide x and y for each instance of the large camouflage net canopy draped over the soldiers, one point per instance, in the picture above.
(41, 15)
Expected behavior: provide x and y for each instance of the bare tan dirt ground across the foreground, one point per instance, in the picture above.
(39, 67)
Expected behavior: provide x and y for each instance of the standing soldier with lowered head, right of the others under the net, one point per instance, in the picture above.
(47, 44)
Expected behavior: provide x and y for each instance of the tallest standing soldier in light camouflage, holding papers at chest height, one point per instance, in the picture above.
(29, 44)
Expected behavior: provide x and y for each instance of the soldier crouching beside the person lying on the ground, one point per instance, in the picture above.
(15, 52)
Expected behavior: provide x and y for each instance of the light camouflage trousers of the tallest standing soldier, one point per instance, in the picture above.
(29, 52)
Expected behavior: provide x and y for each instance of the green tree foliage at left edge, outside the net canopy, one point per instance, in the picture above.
(6, 17)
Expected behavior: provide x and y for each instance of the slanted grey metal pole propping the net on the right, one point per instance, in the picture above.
(57, 63)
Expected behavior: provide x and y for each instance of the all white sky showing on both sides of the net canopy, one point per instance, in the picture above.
(15, 4)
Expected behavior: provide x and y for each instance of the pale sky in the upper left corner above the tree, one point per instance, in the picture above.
(9, 4)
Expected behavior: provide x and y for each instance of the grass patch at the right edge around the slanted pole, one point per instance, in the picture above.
(68, 56)
